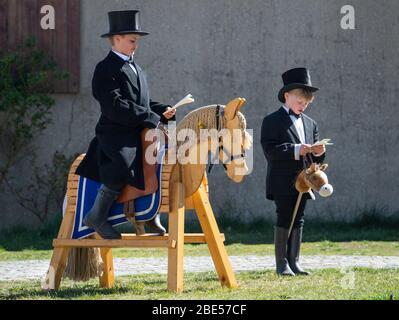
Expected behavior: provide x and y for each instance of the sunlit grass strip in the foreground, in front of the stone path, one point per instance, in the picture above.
(330, 284)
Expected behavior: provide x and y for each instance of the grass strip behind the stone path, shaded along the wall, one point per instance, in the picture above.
(367, 236)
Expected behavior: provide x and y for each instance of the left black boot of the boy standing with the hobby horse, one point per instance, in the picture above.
(280, 242)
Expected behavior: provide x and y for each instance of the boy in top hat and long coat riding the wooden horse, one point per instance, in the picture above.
(114, 157)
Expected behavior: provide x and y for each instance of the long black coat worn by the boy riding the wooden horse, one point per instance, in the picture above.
(115, 154)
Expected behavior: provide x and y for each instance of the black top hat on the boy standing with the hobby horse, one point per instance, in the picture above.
(298, 78)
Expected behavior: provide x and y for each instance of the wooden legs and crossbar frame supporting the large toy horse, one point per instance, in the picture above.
(173, 203)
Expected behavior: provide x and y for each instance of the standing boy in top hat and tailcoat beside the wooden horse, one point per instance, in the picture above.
(287, 139)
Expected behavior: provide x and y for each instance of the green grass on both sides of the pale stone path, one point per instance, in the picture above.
(367, 236)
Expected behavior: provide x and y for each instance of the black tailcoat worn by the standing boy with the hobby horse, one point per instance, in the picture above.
(278, 139)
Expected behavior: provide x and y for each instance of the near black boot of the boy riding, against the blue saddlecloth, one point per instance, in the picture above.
(97, 218)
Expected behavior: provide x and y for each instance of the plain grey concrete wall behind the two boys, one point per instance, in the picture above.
(220, 49)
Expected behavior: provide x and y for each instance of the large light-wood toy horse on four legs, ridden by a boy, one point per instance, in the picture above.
(183, 186)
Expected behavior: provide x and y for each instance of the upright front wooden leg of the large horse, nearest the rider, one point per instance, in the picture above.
(176, 239)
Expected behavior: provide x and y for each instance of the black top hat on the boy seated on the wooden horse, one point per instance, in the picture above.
(124, 22)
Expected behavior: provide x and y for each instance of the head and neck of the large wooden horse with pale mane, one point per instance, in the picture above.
(226, 137)
